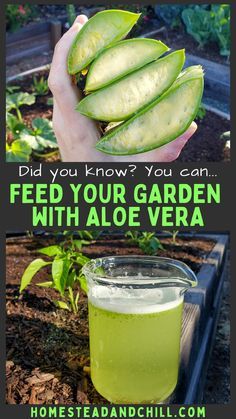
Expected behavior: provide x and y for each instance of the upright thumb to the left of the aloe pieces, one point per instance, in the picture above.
(59, 81)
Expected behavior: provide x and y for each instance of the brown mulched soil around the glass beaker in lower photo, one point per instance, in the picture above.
(47, 348)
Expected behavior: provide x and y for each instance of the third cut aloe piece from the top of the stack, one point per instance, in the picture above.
(120, 100)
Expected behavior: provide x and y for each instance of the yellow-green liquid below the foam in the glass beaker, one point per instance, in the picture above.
(135, 357)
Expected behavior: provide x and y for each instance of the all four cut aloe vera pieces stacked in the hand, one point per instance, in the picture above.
(134, 85)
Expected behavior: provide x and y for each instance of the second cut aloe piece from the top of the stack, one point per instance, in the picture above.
(121, 59)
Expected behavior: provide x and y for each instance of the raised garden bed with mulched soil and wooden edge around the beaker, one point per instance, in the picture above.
(48, 349)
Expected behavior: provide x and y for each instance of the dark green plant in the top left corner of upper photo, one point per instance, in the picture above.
(17, 15)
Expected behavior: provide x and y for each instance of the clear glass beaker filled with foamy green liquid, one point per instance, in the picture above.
(135, 315)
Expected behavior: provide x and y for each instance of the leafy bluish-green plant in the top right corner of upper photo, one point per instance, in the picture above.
(211, 25)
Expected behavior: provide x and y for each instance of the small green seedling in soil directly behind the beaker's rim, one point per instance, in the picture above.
(146, 241)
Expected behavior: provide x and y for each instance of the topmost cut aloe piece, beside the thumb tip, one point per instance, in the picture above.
(101, 30)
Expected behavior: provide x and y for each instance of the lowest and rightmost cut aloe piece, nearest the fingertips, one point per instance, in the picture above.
(162, 121)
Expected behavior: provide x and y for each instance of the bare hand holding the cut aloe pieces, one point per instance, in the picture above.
(76, 134)
